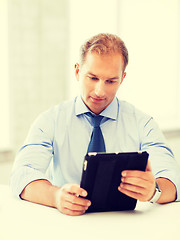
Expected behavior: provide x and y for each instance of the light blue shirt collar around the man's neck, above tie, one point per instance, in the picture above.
(110, 112)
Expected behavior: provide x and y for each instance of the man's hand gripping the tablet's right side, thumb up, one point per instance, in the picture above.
(138, 184)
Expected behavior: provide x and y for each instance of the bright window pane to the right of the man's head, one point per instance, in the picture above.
(151, 31)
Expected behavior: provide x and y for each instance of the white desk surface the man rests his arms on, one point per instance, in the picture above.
(24, 220)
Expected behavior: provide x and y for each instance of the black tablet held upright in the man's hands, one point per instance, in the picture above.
(101, 177)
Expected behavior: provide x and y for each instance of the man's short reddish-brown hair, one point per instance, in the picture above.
(104, 44)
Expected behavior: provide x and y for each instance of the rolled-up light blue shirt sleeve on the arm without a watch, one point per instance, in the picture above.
(34, 157)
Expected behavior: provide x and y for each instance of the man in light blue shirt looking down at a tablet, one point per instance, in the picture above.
(48, 167)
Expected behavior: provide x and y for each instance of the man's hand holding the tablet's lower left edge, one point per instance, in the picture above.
(68, 200)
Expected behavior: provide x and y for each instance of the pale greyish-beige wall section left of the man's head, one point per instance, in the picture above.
(38, 55)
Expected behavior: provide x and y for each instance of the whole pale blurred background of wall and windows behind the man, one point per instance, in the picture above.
(39, 45)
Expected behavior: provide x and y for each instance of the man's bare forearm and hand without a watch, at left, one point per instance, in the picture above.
(66, 199)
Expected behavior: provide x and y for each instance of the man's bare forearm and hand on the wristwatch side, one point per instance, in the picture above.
(141, 185)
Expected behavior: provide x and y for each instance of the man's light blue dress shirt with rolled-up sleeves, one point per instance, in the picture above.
(58, 140)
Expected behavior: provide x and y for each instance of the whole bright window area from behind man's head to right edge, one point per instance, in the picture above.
(151, 31)
